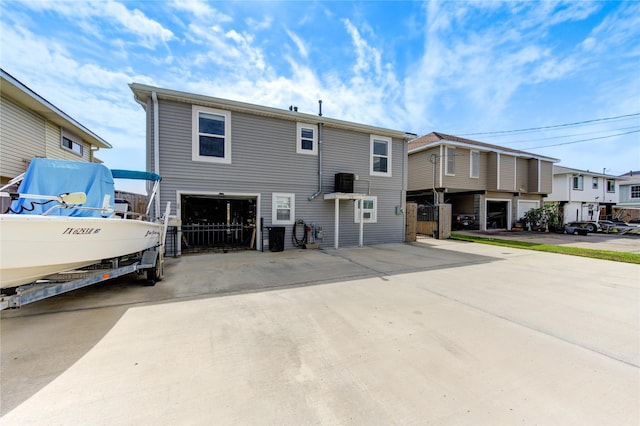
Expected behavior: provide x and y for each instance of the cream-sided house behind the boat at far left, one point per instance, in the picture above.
(31, 127)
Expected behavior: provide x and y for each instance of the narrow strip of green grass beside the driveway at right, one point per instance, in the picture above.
(548, 248)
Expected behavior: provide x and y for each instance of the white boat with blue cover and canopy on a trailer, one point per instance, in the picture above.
(47, 234)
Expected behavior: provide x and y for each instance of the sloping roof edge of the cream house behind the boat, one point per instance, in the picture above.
(12, 87)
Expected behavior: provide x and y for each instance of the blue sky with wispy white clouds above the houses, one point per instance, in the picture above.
(455, 67)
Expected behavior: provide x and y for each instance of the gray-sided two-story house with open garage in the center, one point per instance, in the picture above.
(235, 167)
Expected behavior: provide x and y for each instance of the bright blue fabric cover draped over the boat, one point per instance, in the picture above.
(50, 177)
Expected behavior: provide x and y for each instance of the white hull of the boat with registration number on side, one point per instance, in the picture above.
(33, 246)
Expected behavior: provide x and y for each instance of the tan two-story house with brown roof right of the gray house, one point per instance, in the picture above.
(496, 185)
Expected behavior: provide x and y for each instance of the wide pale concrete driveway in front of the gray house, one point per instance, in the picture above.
(439, 332)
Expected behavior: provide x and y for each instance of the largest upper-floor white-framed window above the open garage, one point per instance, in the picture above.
(211, 135)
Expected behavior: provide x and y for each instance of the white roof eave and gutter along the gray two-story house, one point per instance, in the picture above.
(142, 93)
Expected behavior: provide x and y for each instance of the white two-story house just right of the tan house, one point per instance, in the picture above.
(582, 194)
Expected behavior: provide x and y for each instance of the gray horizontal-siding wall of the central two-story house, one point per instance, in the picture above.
(264, 161)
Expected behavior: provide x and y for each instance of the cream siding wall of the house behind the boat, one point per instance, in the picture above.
(26, 135)
